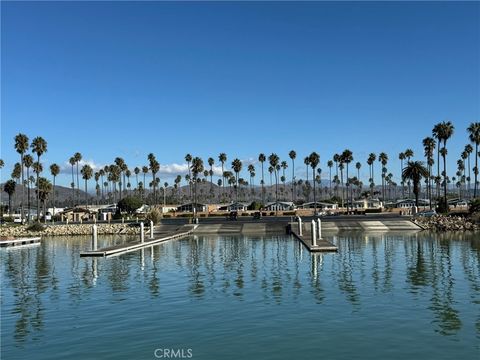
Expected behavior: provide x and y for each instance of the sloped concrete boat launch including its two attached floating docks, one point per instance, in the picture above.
(166, 232)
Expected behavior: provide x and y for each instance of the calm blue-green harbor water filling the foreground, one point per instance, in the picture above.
(381, 296)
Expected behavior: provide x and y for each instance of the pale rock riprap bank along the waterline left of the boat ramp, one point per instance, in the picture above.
(68, 230)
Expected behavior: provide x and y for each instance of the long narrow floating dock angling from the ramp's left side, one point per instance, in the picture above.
(133, 246)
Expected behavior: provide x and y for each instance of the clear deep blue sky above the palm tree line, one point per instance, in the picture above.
(126, 79)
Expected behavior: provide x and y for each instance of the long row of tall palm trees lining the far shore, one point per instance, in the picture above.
(119, 174)
